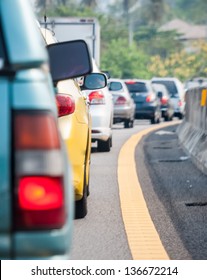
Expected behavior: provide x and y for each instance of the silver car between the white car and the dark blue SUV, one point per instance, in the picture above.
(124, 106)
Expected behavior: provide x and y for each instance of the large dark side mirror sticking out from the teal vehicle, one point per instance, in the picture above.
(69, 60)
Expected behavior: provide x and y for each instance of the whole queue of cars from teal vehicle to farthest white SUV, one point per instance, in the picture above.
(54, 102)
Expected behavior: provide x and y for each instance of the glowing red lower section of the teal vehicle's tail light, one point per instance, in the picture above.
(40, 203)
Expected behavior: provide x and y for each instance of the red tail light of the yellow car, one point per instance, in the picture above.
(65, 104)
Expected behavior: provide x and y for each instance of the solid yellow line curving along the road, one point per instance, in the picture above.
(143, 239)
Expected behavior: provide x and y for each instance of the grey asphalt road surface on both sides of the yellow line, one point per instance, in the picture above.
(174, 190)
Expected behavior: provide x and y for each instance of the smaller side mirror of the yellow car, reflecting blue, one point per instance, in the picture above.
(94, 81)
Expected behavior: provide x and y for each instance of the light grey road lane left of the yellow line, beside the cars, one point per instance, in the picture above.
(101, 235)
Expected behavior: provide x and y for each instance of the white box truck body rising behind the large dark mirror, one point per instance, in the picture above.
(73, 28)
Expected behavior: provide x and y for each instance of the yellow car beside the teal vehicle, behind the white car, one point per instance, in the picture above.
(76, 133)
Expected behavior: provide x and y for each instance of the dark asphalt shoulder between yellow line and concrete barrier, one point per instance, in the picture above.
(176, 194)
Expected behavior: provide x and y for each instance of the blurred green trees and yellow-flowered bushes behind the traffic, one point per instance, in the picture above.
(131, 44)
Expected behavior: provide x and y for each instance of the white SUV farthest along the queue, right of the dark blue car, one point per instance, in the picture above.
(177, 93)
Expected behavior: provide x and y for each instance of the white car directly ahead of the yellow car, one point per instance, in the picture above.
(102, 110)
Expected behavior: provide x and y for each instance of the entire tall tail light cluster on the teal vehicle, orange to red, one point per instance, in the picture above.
(39, 187)
